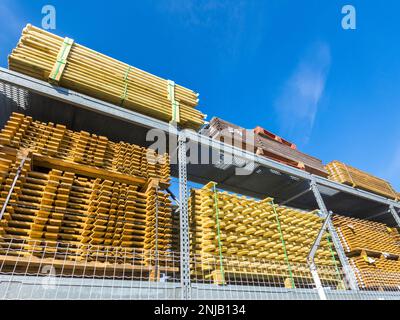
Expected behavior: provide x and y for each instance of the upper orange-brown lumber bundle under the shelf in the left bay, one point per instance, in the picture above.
(56, 141)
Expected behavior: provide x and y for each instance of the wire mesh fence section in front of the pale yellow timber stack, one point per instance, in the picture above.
(253, 279)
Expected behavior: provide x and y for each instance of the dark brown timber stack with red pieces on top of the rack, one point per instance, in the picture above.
(265, 144)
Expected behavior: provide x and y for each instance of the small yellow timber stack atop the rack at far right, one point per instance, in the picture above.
(348, 175)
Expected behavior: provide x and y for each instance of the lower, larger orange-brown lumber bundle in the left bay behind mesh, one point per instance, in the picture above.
(52, 212)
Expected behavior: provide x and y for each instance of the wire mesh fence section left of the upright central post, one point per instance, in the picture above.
(50, 270)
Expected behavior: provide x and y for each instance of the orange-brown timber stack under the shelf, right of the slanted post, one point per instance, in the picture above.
(373, 250)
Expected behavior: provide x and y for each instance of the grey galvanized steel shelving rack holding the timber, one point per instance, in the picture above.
(289, 186)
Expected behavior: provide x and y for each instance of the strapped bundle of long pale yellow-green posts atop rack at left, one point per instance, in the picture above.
(48, 57)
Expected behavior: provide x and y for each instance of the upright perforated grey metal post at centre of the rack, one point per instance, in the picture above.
(184, 219)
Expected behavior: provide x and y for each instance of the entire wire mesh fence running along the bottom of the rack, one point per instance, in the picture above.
(32, 269)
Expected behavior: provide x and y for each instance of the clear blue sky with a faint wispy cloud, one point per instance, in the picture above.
(285, 65)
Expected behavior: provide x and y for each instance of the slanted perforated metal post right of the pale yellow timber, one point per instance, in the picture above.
(348, 271)
